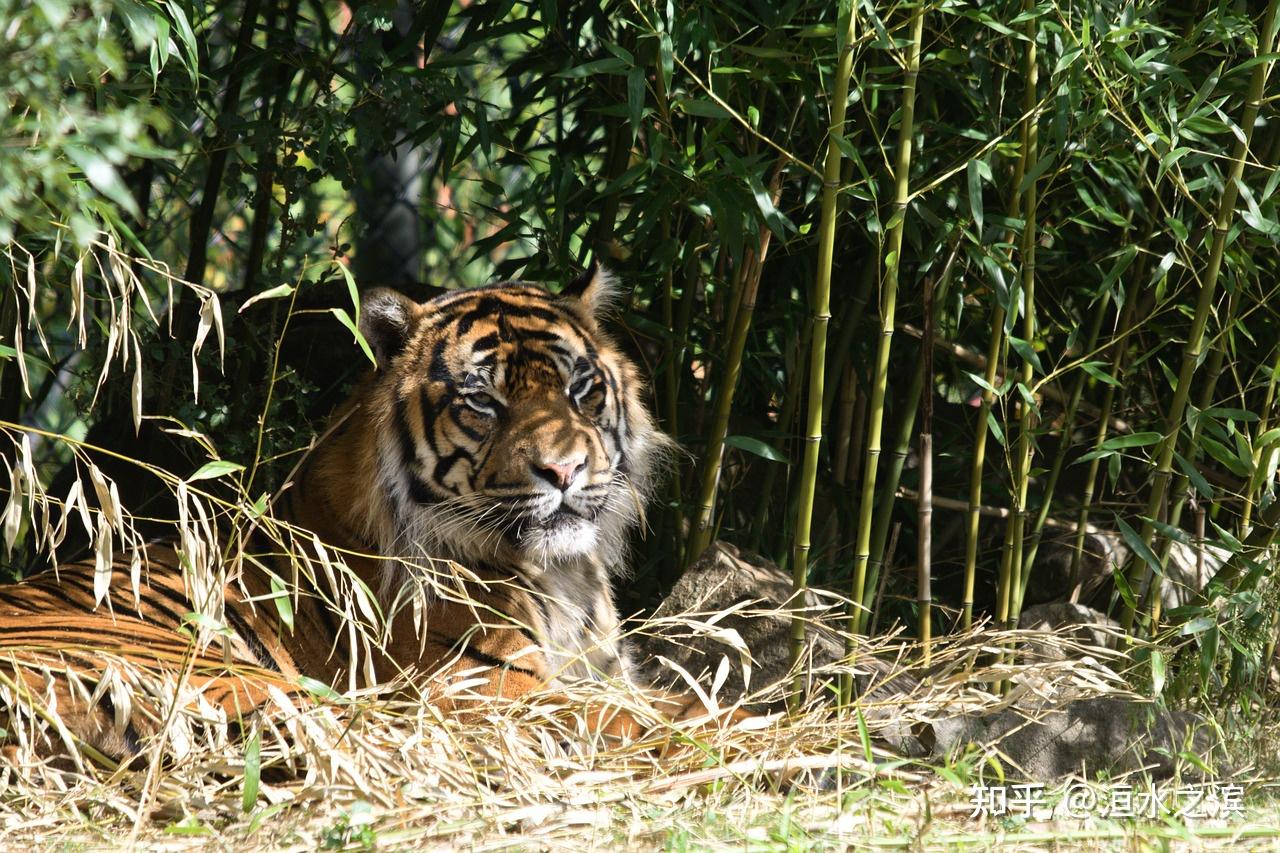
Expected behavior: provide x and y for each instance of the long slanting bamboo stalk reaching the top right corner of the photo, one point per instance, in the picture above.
(1194, 350)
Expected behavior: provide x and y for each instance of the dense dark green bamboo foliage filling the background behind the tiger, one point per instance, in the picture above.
(292, 152)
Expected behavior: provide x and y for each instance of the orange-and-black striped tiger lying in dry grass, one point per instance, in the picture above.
(501, 432)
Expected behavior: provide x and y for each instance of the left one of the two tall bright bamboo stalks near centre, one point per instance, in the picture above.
(821, 317)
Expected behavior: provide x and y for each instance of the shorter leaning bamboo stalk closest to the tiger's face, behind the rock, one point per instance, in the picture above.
(748, 285)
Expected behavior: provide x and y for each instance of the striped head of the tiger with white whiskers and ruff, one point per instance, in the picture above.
(509, 428)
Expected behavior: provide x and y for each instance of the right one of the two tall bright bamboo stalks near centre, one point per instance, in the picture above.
(889, 307)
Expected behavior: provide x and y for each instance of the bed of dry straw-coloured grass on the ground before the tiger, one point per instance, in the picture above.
(374, 765)
